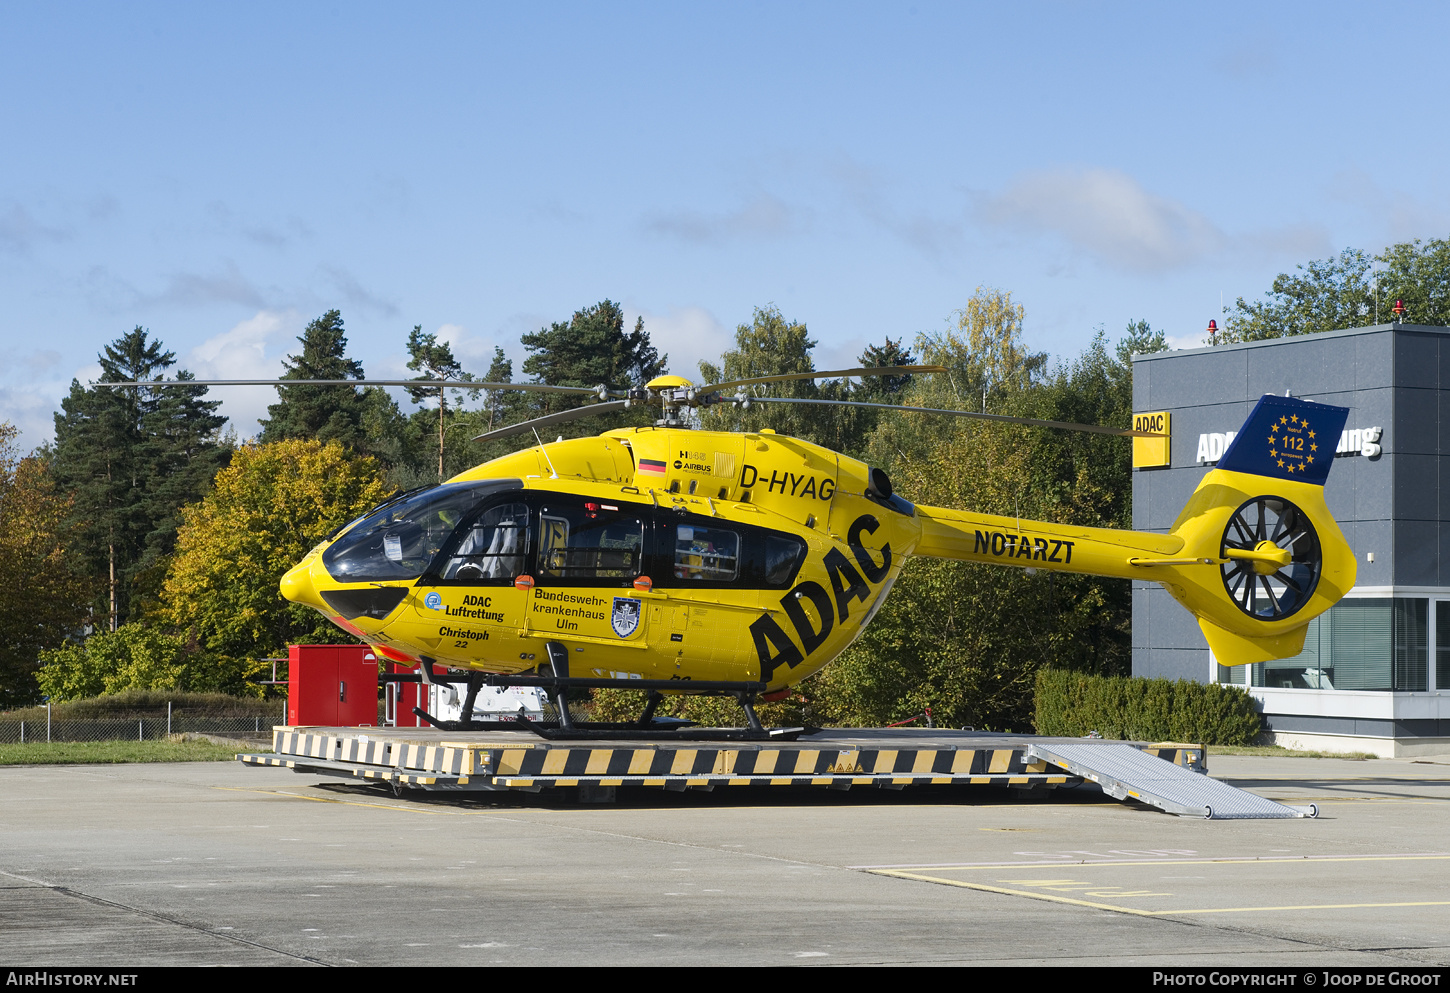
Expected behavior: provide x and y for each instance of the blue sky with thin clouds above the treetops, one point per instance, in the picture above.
(224, 173)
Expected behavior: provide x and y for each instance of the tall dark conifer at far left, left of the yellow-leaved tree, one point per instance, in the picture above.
(133, 457)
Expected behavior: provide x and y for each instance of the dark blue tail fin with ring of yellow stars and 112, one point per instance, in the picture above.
(1287, 439)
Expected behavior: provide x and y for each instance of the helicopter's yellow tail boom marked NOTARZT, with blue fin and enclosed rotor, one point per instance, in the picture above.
(1255, 554)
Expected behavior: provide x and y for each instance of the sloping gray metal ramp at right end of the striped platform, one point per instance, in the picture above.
(1127, 773)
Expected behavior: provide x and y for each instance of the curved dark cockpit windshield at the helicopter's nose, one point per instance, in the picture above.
(399, 540)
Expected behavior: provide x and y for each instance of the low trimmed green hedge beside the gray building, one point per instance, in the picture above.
(1069, 705)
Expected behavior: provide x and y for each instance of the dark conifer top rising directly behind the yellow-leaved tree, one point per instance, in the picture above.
(321, 412)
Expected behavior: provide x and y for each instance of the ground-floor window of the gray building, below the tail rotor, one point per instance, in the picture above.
(1372, 644)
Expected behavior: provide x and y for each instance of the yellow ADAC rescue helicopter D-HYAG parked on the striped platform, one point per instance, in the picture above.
(669, 559)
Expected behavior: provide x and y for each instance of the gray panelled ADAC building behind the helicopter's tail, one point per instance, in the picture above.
(1375, 670)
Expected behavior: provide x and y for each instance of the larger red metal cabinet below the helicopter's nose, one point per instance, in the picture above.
(331, 686)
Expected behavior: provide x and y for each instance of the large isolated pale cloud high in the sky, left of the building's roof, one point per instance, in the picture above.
(1109, 215)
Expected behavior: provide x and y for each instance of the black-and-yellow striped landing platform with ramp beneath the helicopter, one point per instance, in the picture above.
(837, 757)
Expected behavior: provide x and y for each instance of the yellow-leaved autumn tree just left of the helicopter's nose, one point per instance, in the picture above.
(268, 510)
